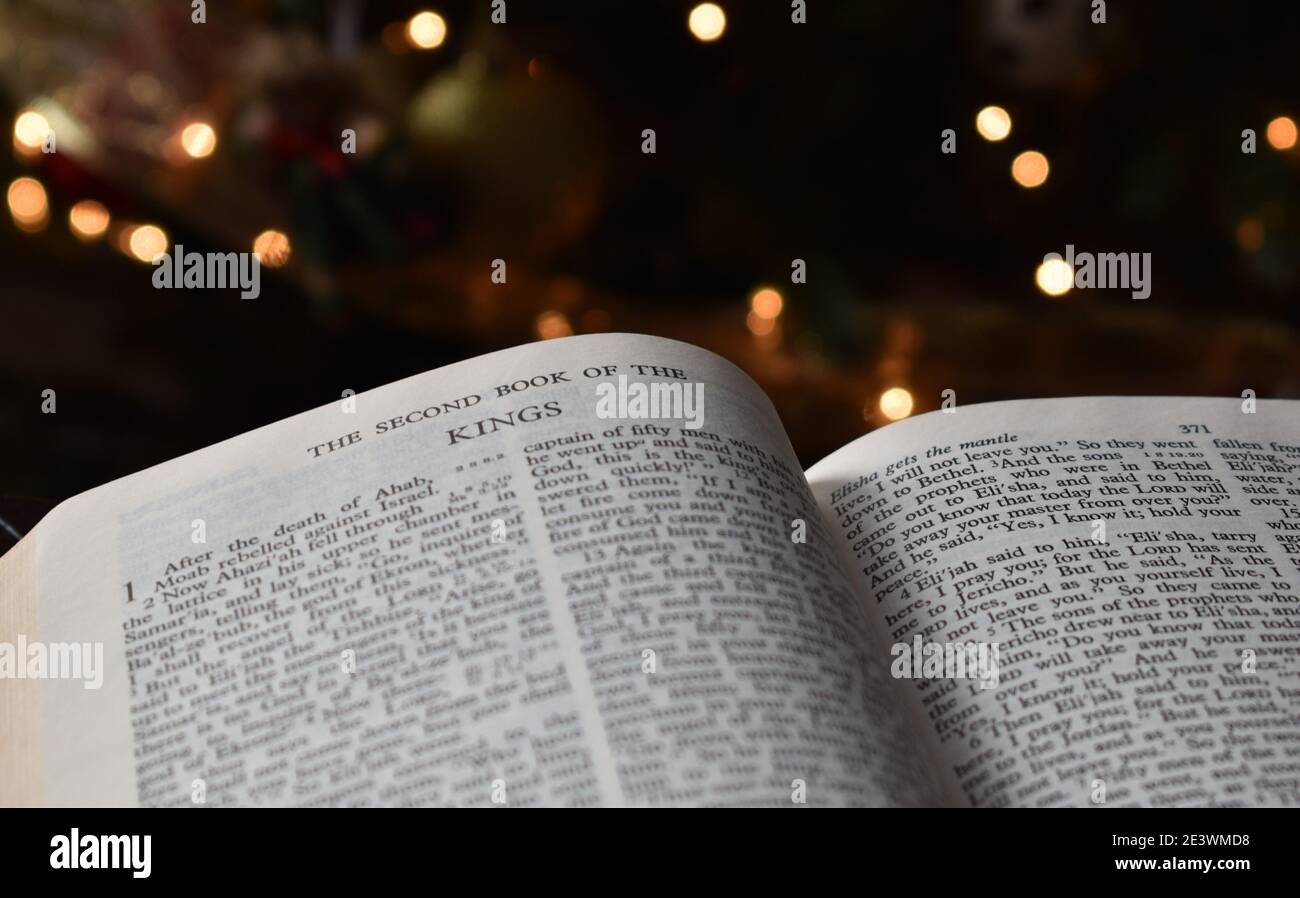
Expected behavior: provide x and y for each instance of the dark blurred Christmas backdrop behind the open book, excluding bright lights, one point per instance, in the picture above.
(523, 142)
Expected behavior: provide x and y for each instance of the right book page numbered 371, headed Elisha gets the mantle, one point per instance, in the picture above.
(1137, 563)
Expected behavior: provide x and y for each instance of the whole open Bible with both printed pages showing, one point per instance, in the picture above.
(591, 572)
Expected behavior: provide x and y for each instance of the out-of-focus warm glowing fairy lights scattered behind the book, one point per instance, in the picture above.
(192, 142)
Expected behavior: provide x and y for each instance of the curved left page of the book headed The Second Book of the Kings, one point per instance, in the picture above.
(474, 587)
